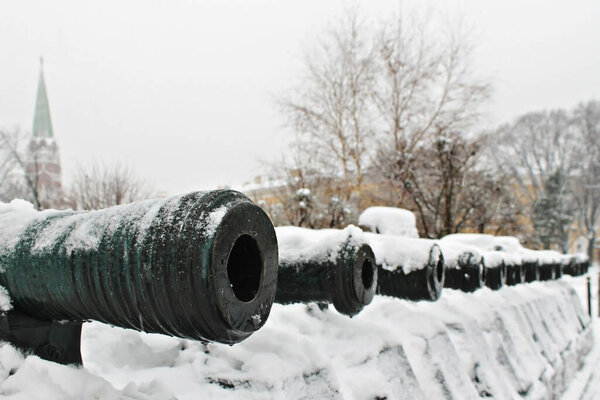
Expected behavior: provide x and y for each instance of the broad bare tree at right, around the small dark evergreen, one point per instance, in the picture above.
(539, 151)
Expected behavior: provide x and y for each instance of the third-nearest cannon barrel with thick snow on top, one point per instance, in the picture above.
(408, 268)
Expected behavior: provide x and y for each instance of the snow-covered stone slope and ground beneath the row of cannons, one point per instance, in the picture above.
(523, 341)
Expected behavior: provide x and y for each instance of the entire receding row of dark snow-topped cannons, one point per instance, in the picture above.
(209, 265)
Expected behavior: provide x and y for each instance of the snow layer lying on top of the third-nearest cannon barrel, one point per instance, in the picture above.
(392, 252)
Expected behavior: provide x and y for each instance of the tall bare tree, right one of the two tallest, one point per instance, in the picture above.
(425, 85)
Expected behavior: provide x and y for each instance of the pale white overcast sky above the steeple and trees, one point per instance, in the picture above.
(183, 90)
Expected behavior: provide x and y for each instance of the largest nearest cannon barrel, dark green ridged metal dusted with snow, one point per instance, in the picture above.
(201, 266)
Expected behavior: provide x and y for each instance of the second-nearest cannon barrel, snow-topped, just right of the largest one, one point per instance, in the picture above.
(325, 266)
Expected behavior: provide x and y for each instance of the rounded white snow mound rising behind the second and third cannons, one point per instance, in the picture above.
(389, 221)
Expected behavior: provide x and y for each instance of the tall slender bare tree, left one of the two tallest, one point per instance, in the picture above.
(330, 110)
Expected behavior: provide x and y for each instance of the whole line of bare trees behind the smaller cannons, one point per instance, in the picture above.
(391, 114)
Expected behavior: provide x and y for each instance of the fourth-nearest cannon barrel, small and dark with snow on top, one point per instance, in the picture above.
(464, 266)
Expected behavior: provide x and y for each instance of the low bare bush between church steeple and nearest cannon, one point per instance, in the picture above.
(103, 186)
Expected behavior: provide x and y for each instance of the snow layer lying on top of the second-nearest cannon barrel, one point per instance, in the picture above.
(297, 245)
